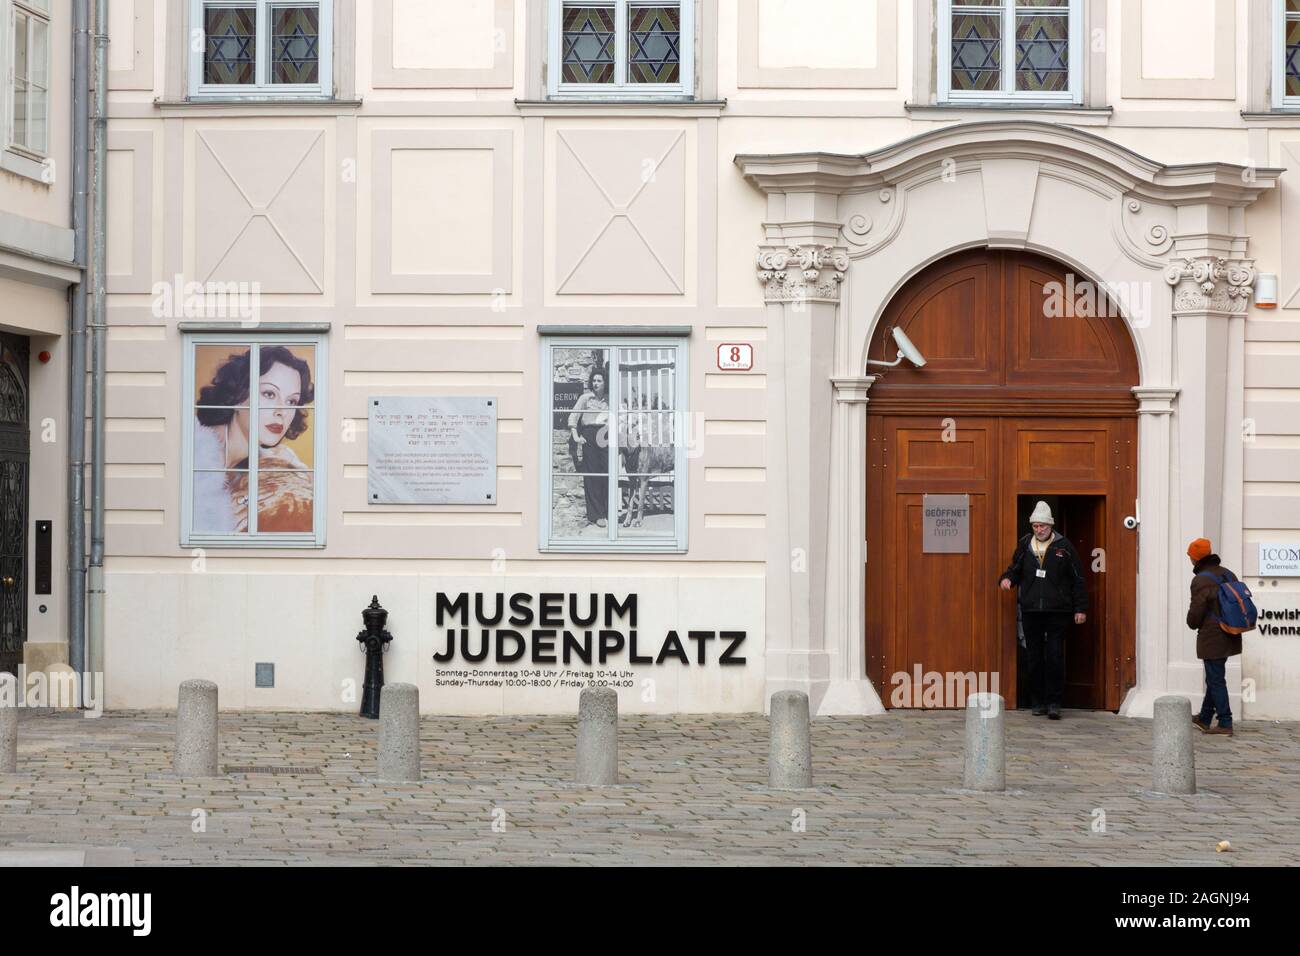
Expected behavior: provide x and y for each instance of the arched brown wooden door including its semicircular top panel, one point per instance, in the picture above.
(1026, 395)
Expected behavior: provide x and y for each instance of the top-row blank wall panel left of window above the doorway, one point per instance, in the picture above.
(827, 45)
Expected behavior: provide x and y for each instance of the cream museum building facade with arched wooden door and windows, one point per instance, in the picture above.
(564, 318)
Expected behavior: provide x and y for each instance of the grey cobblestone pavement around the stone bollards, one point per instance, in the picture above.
(889, 791)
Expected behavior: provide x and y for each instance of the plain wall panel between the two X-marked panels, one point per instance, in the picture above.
(430, 232)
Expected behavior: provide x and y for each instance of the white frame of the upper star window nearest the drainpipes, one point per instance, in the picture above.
(263, 89)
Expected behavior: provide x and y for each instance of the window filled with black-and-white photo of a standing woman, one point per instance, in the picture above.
(613, 456)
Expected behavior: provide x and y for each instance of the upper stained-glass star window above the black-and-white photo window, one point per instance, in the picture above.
(622, 49)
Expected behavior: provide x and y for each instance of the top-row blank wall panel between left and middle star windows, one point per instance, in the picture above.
(423, 45)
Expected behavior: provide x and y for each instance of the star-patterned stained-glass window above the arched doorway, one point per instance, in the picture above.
(980, 42)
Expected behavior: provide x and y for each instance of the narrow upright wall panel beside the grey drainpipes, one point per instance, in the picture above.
(131, 211)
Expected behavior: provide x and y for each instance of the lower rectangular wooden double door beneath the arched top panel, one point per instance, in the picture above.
(943, 613)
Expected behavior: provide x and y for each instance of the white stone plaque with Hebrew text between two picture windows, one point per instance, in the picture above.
(432, 451)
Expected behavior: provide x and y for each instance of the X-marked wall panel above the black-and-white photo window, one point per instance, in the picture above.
(621, 213)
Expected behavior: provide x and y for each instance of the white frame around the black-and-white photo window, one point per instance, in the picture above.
(681, 501)
